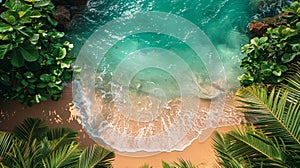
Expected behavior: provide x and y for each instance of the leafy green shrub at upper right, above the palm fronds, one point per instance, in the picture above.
(267, 57)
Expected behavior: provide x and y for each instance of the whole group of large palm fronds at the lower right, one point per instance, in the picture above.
(272, 137)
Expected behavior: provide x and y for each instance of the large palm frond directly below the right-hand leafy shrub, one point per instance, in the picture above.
(274, 115)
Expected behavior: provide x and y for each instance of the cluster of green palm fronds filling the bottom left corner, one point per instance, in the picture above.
(32, 144)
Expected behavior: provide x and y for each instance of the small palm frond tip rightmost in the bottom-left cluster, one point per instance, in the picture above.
(95, 156)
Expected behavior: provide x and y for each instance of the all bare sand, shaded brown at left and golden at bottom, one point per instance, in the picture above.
(58, 114)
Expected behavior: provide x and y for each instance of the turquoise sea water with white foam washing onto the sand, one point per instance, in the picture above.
(155, 74)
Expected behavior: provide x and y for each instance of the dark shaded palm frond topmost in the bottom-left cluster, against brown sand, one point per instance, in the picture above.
(30, 129)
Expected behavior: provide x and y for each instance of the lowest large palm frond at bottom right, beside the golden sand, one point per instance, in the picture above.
(248, 147)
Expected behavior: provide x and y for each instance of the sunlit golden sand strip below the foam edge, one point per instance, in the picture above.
(200, 154)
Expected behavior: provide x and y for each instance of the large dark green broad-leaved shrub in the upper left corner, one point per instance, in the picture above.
(33, 58)
